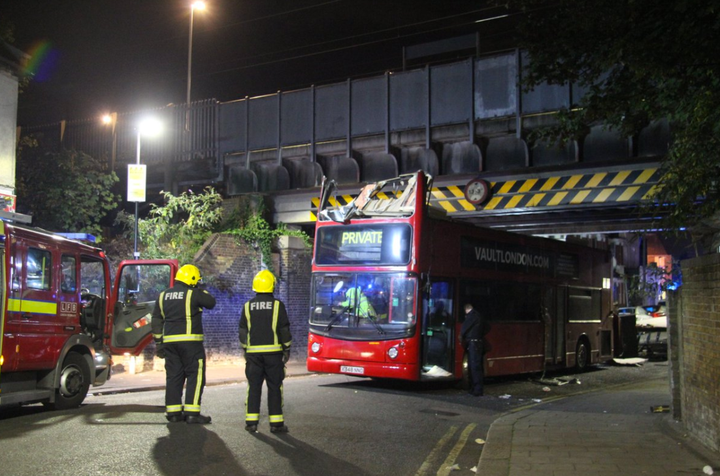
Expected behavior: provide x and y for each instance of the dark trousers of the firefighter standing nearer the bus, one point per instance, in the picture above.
(261, 368)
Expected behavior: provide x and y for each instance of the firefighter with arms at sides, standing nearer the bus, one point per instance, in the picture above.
(265, 337)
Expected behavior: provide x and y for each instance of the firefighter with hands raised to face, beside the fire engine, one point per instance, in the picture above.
(178, 333)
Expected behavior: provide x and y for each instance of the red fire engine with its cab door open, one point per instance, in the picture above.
(61, 321)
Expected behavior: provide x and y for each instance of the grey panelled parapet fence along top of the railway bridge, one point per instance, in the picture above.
(459, 118)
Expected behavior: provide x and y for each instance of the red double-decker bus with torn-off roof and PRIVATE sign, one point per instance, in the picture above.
(390, 277)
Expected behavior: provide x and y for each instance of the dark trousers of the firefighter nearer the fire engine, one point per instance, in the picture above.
(184, 365)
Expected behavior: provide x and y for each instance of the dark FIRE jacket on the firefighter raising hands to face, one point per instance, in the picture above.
(177, 316)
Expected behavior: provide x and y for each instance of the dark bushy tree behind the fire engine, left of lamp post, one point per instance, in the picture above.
(65, 191)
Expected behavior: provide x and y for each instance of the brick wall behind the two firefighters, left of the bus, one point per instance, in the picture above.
(229, 269)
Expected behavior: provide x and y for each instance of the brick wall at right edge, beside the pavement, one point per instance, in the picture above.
(698, 349)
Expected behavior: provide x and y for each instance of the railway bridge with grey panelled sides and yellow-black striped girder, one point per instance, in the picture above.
(466, 123)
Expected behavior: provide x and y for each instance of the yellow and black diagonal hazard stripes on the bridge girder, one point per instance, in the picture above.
(619, 187)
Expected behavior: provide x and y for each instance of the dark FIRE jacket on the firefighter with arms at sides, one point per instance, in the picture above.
(264, 325)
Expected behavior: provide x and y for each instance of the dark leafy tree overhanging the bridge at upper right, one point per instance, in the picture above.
(640, 61)
